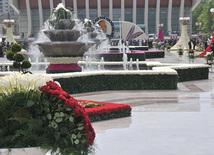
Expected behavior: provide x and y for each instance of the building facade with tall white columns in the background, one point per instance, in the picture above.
(149, 13)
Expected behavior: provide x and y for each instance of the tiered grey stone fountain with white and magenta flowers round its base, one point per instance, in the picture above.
(63, 51)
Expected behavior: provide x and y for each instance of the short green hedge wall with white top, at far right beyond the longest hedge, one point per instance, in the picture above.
(192, 74)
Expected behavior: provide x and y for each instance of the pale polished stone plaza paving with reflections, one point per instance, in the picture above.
(175, 122)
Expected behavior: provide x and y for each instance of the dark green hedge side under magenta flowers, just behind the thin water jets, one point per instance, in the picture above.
(119, 57)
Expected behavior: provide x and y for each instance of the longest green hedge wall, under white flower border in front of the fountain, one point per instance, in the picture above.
(118, 82)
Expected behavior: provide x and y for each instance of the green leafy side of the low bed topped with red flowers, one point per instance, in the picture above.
(112, 115)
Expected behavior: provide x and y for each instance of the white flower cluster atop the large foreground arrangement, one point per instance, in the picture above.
(22, 82)
